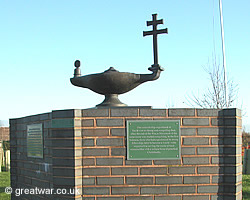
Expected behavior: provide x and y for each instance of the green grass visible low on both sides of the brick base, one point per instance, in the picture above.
(5, 182)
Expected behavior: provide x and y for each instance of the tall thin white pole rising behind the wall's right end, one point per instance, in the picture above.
(223, 52)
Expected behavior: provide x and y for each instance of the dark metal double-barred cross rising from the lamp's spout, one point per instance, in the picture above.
(155, 32)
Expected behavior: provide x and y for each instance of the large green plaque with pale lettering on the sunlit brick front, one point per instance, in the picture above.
(153, 140)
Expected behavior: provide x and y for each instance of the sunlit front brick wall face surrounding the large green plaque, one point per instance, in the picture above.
(210, 166)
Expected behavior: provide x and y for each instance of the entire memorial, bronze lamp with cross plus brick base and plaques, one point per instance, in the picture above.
(117, 152)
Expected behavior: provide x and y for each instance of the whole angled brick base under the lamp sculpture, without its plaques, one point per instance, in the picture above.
(86, 150)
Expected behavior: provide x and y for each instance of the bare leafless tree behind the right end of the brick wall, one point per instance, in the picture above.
(214, 96)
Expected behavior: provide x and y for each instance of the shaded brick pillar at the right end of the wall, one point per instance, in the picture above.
(232, 158)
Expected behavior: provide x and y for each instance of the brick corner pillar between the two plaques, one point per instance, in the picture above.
(67, 152)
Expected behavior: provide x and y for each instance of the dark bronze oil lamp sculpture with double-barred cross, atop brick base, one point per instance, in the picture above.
(111, 83)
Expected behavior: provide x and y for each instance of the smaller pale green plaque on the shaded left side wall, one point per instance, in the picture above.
(35, 140)
